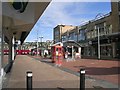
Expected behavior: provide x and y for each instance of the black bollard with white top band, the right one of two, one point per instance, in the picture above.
(82, 79)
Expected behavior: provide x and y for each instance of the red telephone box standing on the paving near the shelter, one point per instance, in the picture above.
(57, 54)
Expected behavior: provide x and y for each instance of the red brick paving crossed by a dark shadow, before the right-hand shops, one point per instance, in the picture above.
(104, 70)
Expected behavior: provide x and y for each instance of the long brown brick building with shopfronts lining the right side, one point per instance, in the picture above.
(108, 27)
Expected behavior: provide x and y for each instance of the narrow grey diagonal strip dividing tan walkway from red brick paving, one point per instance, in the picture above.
(109, 84)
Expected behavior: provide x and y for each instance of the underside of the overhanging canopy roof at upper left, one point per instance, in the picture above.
(18, 23)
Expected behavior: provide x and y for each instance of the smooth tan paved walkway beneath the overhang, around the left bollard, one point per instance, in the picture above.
(46, 76)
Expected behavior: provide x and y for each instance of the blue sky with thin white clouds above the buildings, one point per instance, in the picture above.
(67, 13)
